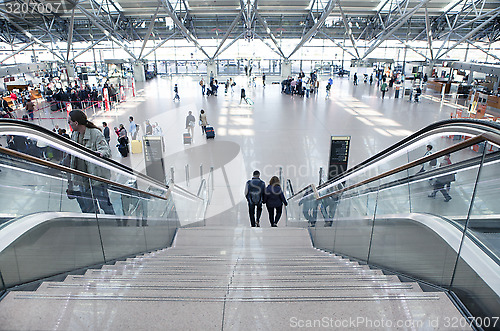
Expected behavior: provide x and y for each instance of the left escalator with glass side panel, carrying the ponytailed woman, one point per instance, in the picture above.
(43, 231)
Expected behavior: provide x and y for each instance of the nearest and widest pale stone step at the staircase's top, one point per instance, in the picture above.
(97, 312)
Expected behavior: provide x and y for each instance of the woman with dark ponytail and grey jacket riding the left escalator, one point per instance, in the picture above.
(87, 134)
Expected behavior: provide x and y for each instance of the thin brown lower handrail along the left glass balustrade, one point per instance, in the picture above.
(36, 160)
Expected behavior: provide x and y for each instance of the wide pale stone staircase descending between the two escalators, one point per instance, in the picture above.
(230, 279)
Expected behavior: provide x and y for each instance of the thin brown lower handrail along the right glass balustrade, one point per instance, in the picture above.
(464, 144)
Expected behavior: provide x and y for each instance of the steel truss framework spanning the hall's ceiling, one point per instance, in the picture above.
(472, 22)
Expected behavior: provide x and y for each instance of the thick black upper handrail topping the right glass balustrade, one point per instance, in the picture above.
(484, 125)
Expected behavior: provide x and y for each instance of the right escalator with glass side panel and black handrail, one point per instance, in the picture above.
(435, 222)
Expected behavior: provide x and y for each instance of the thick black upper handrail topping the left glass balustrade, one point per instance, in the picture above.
(13, 124)
